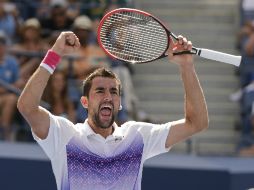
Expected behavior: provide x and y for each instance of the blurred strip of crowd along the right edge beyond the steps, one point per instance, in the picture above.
(245, 95)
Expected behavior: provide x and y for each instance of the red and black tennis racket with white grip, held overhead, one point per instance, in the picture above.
(138, 37)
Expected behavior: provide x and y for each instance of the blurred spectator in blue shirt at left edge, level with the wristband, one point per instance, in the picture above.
(9, 74)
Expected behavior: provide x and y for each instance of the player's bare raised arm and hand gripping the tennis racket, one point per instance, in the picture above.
(196, 114)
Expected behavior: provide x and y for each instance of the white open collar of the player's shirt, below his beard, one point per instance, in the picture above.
(117, 134)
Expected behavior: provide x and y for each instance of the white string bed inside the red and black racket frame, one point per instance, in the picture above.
(133, 37)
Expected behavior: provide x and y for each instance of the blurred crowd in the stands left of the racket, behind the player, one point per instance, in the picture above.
(27, 30)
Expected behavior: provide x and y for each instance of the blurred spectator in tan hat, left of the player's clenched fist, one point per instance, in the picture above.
(29, 48)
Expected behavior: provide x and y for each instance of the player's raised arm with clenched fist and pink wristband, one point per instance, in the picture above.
(29, 100)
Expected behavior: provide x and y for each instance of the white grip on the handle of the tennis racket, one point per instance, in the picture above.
(219, 56)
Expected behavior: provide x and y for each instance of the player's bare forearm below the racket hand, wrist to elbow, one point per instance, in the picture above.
(195, 106)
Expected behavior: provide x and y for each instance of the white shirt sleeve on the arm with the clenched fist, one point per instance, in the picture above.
(60, 132)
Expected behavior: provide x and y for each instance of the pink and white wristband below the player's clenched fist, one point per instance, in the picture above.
(50, 61)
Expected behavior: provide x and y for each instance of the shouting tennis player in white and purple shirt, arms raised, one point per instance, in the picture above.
(98, 154)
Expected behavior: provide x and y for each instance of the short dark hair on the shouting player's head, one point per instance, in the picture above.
(100, 72)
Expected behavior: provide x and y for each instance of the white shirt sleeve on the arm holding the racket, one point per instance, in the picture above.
(154, 138)
